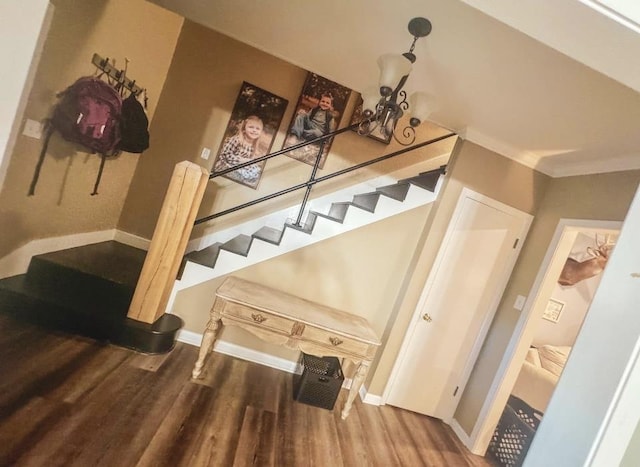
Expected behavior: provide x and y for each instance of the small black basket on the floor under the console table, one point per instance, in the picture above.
(320, 381)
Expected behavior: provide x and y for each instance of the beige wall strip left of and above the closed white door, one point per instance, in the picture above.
(484, 172)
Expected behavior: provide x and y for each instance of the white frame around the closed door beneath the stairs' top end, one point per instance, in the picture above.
(526, 220)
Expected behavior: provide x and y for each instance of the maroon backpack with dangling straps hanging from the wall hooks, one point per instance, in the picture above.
(88, 113)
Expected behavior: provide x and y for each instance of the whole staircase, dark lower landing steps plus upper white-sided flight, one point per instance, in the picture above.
(87, 290)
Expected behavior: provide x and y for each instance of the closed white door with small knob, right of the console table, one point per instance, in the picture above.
(461, 294)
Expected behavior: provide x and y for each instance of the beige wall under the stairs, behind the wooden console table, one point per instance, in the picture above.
(359, 271)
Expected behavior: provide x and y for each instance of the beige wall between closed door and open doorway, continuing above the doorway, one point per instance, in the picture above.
(596, 197)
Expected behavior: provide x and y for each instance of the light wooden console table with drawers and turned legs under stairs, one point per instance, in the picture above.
(285, 319)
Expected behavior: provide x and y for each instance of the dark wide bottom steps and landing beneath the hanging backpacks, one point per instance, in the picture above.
(87, 291)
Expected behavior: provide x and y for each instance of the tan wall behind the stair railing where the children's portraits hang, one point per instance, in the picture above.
(202, 85)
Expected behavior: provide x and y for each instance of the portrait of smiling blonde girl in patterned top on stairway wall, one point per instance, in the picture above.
(252, 127)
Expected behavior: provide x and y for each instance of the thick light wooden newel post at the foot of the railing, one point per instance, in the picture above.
(169, 242)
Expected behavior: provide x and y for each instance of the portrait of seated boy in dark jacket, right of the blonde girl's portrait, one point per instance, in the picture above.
(319, 111)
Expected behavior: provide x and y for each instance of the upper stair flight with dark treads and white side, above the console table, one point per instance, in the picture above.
(244, 250)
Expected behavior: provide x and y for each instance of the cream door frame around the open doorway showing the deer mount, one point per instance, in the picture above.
(557, 251)
